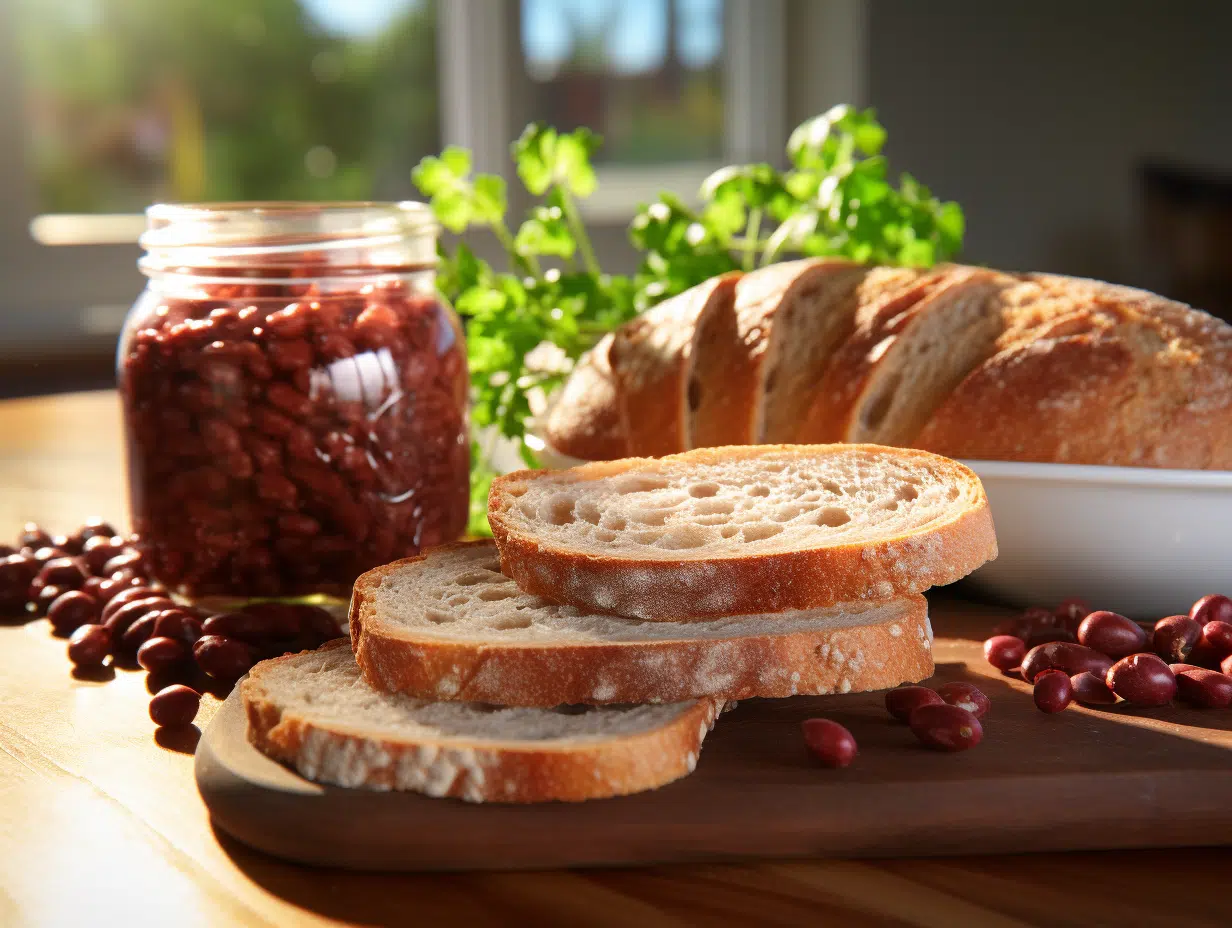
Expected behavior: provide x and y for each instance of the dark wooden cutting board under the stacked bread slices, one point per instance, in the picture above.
(1084, 779)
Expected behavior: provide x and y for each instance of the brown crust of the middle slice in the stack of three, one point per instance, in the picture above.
(849, 659)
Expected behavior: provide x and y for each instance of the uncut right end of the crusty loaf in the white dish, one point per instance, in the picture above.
(1104, 375)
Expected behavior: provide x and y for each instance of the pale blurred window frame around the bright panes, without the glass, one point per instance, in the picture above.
(784, 61)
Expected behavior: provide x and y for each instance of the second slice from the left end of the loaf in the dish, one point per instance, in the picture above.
(652, 358)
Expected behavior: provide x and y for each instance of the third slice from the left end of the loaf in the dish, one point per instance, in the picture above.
(778, 335)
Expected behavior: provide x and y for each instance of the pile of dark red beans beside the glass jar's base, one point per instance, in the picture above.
(93, 587)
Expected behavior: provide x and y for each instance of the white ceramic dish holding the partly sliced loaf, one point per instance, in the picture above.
(1141, 542)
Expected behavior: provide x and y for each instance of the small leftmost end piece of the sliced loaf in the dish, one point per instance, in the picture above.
(585, 421)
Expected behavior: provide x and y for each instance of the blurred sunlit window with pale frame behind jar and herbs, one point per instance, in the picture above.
(110, 105)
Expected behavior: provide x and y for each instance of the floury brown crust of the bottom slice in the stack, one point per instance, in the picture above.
(484, 771)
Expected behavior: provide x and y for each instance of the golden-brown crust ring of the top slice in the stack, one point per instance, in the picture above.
(679, 590)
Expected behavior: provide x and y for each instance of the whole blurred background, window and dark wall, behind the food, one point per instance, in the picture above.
(1087, 139)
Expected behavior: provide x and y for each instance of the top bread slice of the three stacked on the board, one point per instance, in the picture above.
(742, 531)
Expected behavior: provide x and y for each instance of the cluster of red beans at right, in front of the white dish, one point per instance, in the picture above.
(1076, 655)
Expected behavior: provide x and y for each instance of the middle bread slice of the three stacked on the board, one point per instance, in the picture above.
(449, 625)
